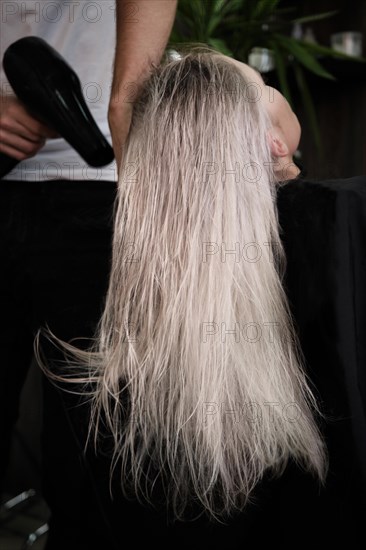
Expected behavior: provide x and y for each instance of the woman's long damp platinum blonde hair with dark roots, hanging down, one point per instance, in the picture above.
(196, 369)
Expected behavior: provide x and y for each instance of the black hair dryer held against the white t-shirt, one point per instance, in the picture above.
(51, 92)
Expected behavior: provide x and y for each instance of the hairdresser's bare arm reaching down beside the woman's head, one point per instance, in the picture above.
(143, 30)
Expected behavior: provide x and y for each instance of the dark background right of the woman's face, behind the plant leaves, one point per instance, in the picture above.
(340, 105)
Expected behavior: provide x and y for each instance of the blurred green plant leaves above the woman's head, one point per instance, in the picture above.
(234, 27)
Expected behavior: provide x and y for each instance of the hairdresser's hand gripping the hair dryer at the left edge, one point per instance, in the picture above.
(21, 135)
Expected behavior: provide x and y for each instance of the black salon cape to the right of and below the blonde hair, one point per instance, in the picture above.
(323, 227)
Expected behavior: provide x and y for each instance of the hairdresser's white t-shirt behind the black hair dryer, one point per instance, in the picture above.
(83, 32)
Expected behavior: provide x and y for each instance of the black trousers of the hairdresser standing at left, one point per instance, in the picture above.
(55, 240)
